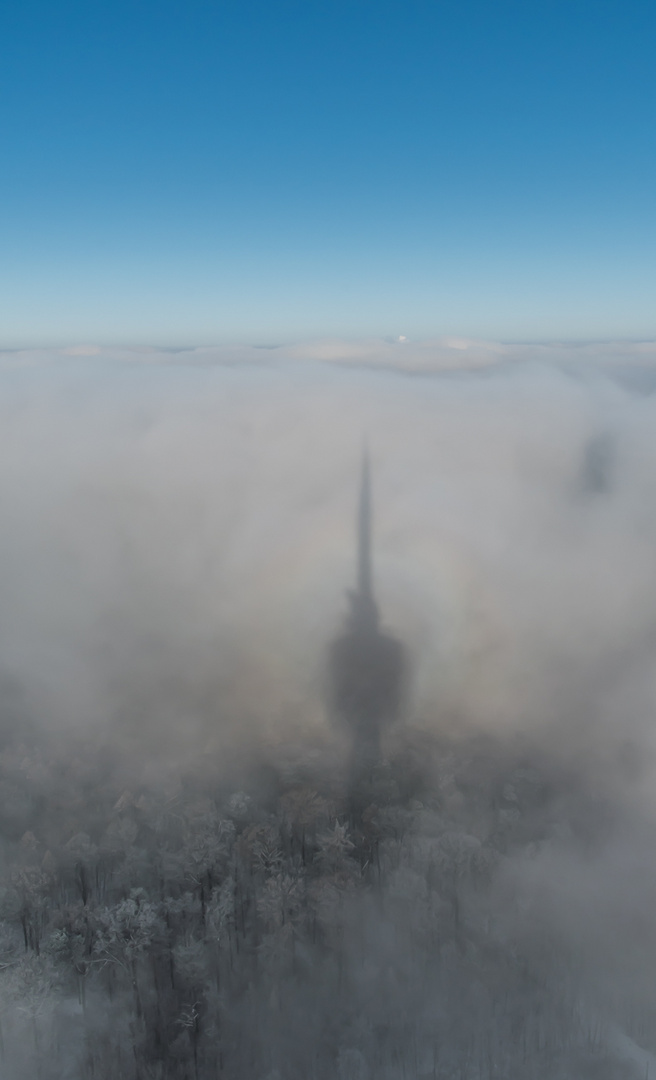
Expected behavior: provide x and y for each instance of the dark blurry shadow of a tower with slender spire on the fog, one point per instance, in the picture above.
(367, 665)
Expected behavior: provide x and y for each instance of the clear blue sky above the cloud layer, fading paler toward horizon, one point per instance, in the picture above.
(182, 173)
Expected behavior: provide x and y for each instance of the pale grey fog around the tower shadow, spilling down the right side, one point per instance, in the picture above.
(180, 536)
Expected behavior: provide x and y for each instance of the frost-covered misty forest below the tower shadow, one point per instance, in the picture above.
(205, 931)
